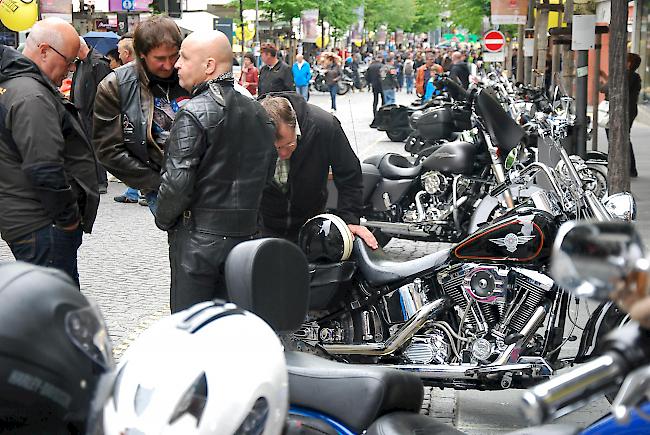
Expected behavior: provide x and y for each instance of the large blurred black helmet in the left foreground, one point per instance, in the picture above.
(53, 349)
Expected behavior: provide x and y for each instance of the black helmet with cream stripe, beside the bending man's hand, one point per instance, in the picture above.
(326, 238)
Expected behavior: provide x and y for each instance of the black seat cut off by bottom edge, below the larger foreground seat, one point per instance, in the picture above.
(402, 423)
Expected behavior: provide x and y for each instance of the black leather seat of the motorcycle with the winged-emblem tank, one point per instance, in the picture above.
(378, 269)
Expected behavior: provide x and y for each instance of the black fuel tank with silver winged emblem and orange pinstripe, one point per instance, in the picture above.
(524, 237)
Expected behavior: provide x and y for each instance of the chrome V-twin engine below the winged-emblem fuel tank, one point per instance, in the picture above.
(493, 303)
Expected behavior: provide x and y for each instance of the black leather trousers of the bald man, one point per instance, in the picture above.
(197, 262)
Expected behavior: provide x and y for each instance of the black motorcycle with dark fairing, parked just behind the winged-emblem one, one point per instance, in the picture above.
(435, 200)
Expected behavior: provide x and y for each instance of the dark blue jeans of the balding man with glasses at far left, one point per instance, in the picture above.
(50, 246)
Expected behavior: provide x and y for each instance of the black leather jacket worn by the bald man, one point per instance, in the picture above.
(218, 159)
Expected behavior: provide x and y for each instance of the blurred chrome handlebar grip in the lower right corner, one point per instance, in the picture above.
(568, 391)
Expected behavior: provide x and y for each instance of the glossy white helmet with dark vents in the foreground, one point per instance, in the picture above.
(211, 369)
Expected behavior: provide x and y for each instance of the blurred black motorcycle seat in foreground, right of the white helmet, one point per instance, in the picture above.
(356, 396)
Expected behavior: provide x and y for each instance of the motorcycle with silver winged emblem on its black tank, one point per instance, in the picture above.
(465, 317)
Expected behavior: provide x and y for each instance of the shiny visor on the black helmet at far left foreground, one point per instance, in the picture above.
(85, 327)
